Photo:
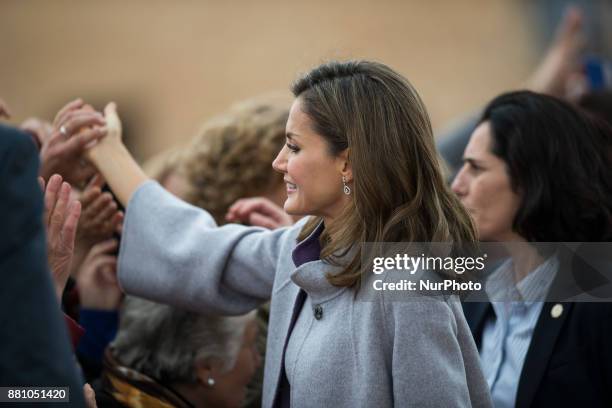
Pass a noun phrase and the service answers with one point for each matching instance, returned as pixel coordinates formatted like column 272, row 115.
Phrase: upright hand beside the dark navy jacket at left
column 61, row 219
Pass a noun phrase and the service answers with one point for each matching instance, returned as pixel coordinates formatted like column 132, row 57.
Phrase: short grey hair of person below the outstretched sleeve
column 165, row 343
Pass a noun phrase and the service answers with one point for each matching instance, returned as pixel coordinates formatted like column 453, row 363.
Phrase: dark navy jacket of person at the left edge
column 34, row 345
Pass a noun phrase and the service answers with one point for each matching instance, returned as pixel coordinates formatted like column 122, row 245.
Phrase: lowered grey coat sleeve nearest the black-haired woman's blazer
column 429, row 366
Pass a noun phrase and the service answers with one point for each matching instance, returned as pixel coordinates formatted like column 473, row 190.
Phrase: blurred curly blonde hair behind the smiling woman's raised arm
column 231, row 157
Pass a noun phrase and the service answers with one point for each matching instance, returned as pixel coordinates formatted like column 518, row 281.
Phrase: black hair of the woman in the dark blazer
column 557, row 160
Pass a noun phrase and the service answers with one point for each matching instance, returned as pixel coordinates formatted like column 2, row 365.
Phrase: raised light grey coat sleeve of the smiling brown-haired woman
column 173, row 252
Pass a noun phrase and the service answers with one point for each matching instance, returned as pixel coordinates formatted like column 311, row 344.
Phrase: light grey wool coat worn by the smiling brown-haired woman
column 341, row 352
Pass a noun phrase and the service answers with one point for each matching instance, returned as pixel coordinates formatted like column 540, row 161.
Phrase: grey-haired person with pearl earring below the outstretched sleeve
column 169, row 357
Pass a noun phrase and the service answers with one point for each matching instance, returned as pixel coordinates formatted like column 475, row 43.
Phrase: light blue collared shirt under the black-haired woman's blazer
column 506, row 337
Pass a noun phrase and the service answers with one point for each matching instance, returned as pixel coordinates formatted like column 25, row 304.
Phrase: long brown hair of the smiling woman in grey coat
column 399, row 194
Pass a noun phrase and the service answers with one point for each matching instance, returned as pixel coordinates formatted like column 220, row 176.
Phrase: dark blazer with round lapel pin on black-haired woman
column 569, row 360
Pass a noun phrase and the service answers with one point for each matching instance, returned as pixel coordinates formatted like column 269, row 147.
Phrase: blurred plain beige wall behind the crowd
column 172, row 64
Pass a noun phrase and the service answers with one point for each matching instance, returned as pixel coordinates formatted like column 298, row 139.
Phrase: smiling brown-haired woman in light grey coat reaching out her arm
column 360, row 159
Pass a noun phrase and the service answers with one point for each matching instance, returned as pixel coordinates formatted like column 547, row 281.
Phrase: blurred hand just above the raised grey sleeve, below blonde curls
column 258, row 211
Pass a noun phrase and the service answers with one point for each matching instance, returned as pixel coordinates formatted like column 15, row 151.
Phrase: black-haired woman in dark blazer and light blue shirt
column 537, row 170
